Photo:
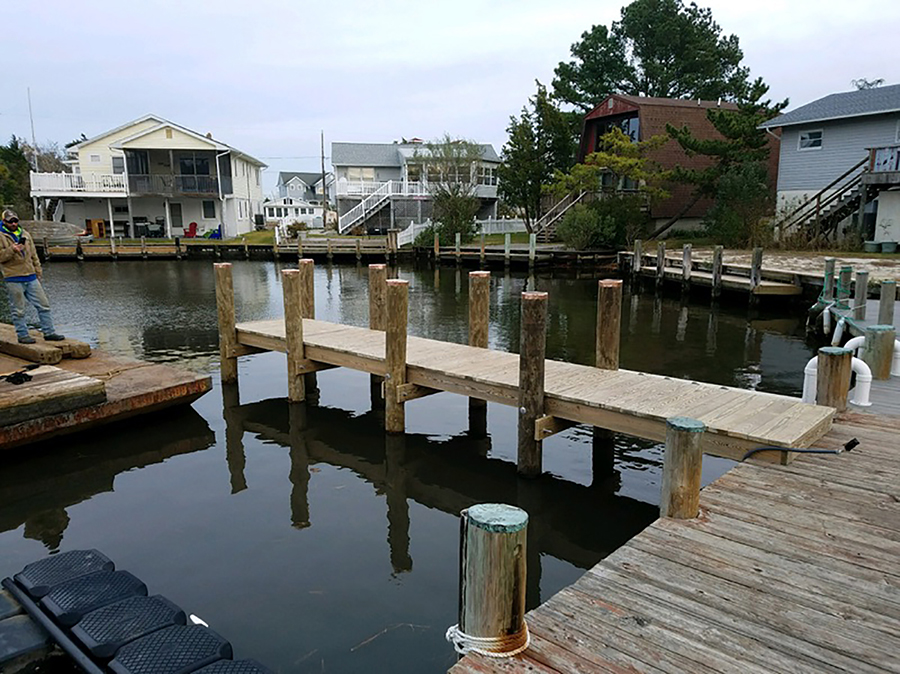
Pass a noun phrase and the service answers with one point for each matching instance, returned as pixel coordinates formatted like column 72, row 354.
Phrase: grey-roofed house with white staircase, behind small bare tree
column 382, row 185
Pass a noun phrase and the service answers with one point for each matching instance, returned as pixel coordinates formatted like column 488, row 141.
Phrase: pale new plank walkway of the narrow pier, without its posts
column 620, row 400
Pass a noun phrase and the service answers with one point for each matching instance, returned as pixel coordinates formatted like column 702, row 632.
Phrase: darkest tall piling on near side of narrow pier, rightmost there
column 532, row 347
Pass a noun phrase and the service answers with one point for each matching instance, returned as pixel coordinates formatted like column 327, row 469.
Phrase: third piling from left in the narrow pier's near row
column 397, row 302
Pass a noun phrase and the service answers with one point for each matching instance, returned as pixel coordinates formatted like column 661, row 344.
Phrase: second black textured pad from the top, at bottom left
column 69, row 602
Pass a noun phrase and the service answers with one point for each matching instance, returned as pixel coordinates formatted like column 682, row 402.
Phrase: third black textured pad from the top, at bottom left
column 104, row 631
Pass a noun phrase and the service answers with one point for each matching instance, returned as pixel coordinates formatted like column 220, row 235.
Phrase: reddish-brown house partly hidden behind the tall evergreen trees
column 641, row 118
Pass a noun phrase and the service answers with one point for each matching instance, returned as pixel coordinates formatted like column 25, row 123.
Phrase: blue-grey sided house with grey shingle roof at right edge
column 840, row 153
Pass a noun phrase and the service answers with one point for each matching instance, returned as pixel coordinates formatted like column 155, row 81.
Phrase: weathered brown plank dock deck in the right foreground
column 788, row 569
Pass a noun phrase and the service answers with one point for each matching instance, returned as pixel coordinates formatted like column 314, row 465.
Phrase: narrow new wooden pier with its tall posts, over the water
column 556, row 396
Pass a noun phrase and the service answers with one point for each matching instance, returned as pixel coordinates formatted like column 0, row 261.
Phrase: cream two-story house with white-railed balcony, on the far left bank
column 152, row 177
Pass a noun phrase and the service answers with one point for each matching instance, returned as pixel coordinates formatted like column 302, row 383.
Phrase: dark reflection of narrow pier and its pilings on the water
column 449, row 475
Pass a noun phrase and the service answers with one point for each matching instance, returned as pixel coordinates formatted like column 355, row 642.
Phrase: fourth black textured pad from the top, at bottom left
column 173, row 650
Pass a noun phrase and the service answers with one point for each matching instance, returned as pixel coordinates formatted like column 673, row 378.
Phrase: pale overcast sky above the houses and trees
column 267, row 76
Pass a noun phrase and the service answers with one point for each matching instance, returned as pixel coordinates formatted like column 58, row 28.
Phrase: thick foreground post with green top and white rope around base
column 492, row 575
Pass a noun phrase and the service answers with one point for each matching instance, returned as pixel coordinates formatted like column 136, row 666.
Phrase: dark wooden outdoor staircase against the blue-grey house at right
column 821, row 214
